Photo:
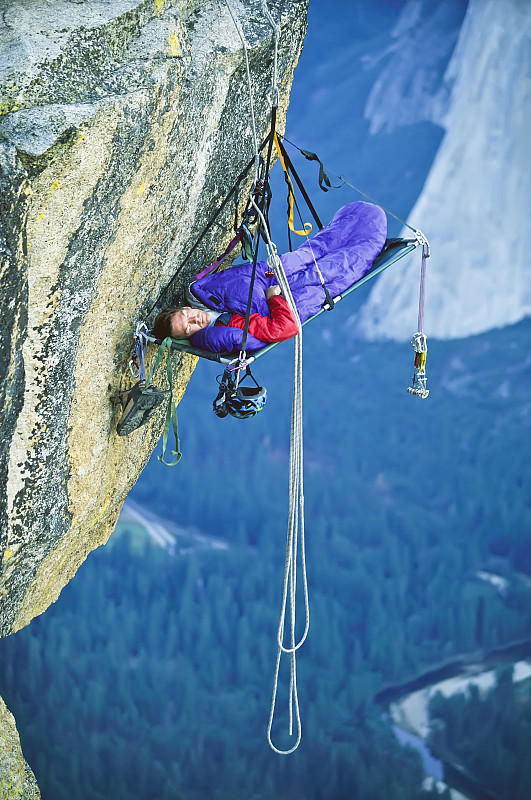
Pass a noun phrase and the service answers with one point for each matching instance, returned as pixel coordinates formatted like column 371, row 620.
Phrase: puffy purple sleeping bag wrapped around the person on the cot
column 344, row 251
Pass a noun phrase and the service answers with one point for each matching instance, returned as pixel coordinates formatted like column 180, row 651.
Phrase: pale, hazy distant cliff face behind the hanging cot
column 474, row 206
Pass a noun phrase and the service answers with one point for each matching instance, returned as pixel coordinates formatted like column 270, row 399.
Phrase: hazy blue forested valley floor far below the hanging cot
column 151, row 676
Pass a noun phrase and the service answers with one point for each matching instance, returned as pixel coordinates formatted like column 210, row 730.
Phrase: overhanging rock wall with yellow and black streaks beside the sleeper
column 122, row 125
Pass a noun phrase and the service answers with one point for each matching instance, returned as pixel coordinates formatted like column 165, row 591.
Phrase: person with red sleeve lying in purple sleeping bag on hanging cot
column 341, row 253
